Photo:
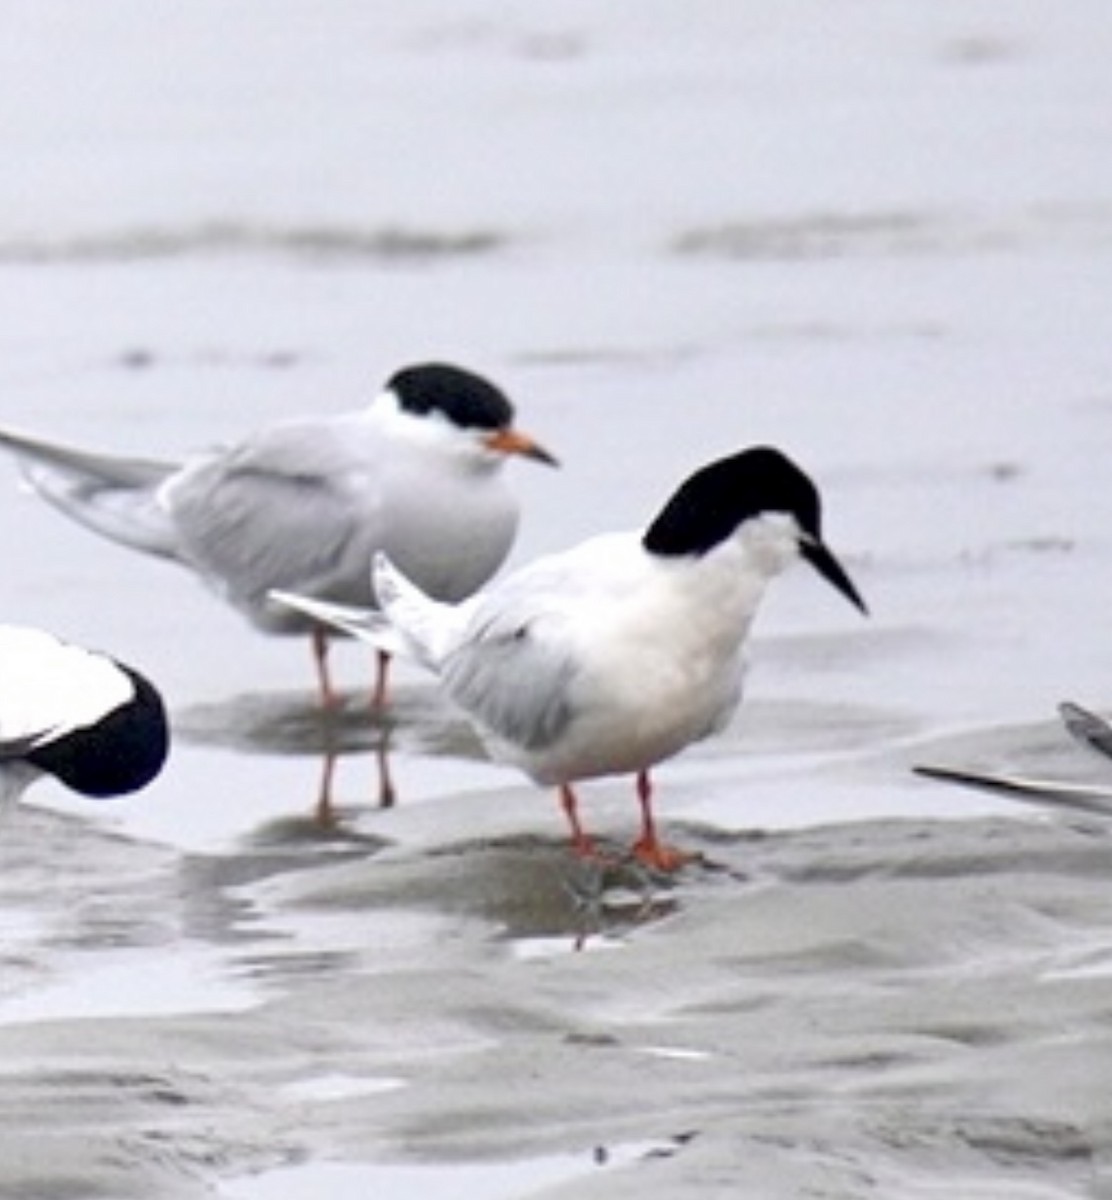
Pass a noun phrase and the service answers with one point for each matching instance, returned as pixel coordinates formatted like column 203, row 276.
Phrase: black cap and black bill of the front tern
column 710, row 507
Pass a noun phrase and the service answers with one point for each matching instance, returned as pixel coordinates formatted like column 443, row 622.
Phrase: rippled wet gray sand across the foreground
column 897, row 1009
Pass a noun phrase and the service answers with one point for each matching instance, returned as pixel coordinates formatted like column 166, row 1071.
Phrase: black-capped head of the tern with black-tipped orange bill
column 462, row 411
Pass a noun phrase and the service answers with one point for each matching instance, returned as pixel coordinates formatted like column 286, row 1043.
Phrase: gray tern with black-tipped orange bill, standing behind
column 304, row 505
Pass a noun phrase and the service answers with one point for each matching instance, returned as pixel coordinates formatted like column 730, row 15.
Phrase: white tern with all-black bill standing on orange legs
column 620, row 653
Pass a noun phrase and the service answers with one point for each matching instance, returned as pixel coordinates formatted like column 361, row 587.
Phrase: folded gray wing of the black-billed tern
column 514, row 676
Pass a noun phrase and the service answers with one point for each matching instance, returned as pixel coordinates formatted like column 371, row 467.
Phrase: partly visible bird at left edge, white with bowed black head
column 93, row 723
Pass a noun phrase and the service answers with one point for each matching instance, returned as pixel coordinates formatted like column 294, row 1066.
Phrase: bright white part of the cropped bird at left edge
column 50, row 686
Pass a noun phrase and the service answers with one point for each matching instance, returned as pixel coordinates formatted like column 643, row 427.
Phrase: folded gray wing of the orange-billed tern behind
column 293, row 509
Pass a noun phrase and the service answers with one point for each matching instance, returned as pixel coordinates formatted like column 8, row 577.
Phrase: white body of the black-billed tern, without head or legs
column 588, row 663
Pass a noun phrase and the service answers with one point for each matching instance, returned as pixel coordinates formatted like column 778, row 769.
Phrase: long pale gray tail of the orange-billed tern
column 115, row 497
